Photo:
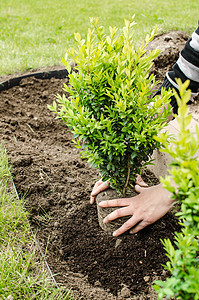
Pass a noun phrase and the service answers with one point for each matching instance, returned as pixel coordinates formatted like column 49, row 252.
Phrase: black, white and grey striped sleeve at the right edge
column 186, row 67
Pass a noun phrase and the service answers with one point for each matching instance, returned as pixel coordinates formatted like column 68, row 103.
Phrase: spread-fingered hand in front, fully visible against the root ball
column 147, row 207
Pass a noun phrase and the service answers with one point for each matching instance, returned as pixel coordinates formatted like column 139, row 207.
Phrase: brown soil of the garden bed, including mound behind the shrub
column 57, row 183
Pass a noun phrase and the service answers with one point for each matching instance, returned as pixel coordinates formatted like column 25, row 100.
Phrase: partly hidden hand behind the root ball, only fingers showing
column 101, row 186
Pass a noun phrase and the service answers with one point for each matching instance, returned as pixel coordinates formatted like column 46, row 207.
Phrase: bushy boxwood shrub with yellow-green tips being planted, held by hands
column 109, row 107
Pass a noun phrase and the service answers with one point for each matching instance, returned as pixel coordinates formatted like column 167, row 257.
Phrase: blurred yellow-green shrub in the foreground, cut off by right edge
column 183, row 257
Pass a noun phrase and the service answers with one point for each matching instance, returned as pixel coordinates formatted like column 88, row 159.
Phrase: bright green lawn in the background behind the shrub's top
column 35, row 33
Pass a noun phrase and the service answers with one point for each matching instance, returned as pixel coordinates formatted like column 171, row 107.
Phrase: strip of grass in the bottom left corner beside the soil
column 22, row 274
